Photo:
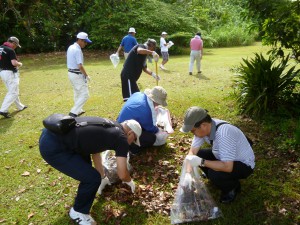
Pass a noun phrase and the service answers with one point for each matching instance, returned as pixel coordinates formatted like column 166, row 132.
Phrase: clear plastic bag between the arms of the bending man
column 109, row 162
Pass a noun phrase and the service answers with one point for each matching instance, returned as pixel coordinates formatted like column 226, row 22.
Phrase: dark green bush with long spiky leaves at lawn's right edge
column 263, row 85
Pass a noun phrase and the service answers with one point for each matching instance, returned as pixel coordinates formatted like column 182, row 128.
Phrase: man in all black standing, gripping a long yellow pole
column 134, row 65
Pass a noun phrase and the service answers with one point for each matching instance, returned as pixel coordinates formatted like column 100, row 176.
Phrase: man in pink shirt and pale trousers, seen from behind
column 196, row 45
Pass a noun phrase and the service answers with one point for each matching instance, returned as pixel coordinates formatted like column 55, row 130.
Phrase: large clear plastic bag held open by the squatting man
column 192, row 201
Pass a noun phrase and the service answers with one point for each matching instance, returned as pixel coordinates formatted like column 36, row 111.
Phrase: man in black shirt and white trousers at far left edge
column 9, row 73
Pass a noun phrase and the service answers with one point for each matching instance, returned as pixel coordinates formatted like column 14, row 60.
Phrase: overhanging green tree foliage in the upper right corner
column 278, row 21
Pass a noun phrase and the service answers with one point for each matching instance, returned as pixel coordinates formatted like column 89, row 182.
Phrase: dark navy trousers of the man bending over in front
column 74, row 165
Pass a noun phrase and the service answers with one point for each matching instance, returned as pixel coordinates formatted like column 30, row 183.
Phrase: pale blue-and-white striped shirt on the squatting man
column 229, row 144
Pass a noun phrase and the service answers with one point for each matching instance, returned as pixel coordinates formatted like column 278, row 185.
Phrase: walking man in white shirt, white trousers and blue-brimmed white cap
column 77, row 73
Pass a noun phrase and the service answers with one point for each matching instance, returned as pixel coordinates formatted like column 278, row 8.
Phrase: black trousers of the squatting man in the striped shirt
column 224, row 180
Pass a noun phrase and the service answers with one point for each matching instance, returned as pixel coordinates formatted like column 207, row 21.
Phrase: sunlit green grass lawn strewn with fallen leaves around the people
column 31, row 192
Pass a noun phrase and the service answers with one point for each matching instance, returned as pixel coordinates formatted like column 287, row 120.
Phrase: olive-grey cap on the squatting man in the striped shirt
column 192, row 116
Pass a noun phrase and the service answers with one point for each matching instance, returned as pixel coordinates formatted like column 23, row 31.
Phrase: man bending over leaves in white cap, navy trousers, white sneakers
column 71, row 154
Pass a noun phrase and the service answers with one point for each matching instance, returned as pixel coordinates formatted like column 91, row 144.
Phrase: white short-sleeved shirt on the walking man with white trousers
column 74, row 56
